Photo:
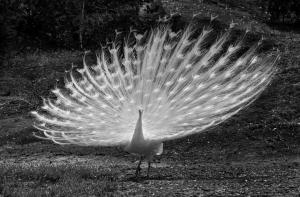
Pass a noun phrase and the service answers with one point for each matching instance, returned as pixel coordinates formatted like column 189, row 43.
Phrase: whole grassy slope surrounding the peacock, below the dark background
column 254, row 153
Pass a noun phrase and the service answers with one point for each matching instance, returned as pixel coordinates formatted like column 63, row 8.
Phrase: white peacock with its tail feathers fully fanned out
column 157, row 86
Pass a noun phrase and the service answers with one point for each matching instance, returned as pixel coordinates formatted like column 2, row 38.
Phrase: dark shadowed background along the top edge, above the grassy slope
column 46, row 24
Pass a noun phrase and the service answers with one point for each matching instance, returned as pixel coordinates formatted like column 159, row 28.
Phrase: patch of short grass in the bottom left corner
column 62, row 180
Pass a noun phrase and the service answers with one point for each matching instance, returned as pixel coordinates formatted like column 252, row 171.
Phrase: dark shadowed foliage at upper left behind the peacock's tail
column 59, row 24
